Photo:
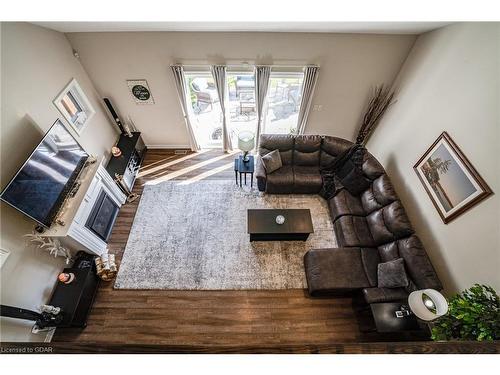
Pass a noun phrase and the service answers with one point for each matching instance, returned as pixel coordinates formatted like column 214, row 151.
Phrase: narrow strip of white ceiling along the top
column 315, row 27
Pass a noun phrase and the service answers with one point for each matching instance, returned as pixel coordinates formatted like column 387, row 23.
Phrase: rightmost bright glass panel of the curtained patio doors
column 283, row 102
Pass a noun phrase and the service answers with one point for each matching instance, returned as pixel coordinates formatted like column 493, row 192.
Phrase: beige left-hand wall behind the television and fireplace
column 36, row 64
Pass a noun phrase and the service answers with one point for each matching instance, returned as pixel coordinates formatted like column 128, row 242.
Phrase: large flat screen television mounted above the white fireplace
column 41, row 185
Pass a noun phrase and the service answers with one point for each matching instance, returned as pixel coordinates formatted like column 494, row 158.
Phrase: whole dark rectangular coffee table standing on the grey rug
column 262, row 225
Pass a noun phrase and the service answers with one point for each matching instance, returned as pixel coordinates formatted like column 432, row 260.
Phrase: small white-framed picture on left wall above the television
column 74, row 106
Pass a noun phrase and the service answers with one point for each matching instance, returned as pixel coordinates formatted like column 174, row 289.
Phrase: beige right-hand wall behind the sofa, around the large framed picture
column 450, row 82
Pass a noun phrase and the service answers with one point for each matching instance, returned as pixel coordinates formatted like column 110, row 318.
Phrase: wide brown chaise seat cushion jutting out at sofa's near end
column 333, row 270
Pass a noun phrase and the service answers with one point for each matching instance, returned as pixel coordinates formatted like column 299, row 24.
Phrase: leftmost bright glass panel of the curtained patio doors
column 205, row 112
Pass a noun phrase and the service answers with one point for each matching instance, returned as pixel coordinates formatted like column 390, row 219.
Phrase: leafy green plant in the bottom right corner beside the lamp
column 473, row 314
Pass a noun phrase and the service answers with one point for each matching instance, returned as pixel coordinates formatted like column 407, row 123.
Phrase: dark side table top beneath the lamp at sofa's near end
column 385, row 318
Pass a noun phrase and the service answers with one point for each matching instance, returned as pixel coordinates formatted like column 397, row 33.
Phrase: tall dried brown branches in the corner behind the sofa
column 381, row 99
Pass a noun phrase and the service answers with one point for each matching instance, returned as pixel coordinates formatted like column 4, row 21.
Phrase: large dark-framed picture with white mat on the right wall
column 451, row 181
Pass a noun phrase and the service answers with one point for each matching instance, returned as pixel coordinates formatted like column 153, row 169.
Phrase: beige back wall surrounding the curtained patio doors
column 350, row 66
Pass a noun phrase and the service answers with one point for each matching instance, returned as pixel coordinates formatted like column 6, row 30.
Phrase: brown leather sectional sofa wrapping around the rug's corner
column 371, row 228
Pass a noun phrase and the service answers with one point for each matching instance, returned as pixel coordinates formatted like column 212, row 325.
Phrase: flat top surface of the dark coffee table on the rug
column 263, row 221
